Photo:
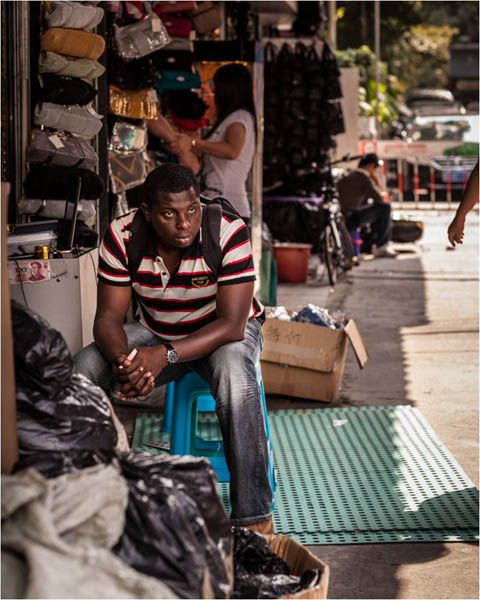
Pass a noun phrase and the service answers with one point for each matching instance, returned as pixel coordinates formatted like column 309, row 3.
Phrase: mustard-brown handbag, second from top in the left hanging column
column 71, row 42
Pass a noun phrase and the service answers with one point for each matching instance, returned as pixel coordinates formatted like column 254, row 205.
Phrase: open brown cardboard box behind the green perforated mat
column 307, row 361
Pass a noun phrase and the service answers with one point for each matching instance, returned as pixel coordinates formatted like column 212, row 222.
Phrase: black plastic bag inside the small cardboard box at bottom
column 259, row 573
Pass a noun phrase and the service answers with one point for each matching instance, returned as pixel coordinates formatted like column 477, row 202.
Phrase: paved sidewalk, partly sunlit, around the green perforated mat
column 419, row 317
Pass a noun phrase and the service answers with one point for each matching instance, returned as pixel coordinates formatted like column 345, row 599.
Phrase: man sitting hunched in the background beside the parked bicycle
column 355, row 190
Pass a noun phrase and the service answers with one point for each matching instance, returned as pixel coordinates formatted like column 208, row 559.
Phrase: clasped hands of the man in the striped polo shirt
column 136, row 373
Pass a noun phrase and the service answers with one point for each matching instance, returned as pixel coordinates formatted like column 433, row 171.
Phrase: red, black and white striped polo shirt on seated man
column 174, row 305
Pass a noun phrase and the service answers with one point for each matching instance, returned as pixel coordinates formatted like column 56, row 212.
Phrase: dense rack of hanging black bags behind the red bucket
column 302, row 109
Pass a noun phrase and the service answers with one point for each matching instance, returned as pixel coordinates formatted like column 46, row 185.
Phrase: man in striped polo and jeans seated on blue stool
column 188, row 319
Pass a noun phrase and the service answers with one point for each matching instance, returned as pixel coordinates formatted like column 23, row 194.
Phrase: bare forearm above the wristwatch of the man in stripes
column 209, row 338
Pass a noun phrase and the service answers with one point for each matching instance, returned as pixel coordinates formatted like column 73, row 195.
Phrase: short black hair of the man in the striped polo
column 170, row 178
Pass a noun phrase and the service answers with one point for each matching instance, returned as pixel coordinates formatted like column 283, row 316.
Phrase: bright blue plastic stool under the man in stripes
column 184, row 399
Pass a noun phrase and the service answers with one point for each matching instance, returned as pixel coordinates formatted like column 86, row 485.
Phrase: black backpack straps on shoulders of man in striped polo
column 141, row 231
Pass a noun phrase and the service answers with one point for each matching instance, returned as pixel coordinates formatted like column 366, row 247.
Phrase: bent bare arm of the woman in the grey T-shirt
column 229, row 148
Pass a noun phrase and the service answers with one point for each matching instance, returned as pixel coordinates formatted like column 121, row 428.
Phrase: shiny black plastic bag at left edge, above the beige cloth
column 63, row 420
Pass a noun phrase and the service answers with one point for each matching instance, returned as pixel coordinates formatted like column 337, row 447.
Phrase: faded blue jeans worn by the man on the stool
column 231, row 372
